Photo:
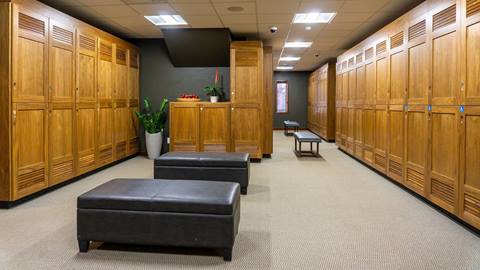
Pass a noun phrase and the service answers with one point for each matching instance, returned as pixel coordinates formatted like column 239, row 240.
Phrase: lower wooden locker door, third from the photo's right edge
column 416, row 140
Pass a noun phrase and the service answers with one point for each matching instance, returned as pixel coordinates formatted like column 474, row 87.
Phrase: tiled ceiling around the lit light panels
column 354, row 20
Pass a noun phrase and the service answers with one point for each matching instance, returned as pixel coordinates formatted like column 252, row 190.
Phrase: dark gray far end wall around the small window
column 297, row 98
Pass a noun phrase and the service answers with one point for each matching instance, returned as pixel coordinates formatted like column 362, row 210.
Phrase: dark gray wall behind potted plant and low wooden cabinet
column 159, row 78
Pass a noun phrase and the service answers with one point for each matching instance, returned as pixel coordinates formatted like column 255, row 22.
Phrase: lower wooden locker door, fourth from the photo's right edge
column 395, row 142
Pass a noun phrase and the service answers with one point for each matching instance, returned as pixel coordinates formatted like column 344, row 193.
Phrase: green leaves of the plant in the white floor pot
column 153, row 121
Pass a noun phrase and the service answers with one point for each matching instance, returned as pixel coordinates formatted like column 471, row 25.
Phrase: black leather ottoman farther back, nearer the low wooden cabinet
column 207, row 166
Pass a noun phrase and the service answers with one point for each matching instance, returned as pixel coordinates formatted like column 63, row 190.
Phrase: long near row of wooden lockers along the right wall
column 416, row 97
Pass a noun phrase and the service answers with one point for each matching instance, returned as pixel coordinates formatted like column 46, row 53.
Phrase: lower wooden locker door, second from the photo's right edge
column 443, row 155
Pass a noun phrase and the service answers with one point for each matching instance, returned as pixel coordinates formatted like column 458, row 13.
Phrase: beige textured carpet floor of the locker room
column 329, row 213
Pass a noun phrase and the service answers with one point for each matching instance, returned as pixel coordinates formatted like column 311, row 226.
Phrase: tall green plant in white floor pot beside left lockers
column 153, row 123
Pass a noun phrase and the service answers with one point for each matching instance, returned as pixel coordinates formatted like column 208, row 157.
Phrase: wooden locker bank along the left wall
column 68, row 92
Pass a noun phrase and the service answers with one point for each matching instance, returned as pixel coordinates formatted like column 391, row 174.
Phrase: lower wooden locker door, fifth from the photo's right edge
column 381, row 136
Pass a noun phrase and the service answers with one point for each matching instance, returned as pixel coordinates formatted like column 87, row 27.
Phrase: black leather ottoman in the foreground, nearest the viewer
column 182, row 213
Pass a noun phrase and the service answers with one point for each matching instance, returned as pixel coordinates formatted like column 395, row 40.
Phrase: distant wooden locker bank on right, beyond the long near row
column 321, row 102
